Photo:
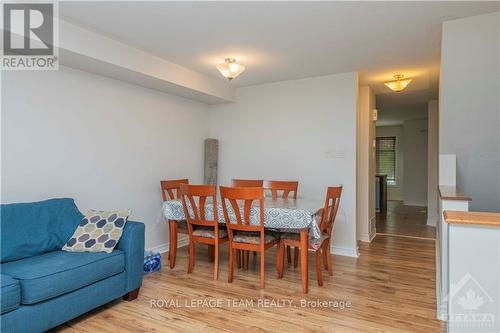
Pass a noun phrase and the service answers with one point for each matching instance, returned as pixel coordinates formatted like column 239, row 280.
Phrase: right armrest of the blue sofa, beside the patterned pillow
column 132, row 243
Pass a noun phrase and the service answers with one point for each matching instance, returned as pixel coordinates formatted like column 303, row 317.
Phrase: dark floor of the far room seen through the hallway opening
column 405, row 221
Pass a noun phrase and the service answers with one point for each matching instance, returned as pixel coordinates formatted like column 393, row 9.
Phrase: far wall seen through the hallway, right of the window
column 415, row 164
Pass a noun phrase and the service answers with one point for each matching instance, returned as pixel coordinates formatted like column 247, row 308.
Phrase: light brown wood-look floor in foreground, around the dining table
column 391, row 288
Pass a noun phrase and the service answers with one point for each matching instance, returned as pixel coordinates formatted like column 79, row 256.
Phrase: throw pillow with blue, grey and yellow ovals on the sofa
column 99, row 231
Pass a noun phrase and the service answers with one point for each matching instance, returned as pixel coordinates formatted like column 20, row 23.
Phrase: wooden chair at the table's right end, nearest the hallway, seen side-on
column 326, row 225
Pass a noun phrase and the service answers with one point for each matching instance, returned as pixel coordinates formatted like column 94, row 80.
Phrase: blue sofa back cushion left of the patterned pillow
column 30, row 229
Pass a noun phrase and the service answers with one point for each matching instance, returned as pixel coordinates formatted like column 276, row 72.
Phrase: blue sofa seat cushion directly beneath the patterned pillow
column 59, row 272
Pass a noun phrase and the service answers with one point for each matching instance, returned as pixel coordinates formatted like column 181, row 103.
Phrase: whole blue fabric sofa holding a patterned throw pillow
column 42, row 286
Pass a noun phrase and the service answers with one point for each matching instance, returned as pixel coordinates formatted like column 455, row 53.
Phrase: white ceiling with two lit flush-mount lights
column 287, row 40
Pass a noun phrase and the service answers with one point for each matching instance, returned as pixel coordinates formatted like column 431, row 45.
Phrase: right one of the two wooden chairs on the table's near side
column 243, row 235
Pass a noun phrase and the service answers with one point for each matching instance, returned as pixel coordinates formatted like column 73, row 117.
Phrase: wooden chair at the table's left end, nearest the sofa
column 170, row 190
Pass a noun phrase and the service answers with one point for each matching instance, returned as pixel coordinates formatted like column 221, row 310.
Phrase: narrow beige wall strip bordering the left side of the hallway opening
column 366, row 165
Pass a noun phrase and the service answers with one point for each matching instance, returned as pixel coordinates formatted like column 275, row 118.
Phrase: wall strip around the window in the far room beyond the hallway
column 395, row 192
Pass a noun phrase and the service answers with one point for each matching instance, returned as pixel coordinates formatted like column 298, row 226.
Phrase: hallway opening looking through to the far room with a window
column 402, row 172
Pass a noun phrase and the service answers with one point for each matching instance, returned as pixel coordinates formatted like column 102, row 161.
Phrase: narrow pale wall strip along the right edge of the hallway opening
column 432, row 162
